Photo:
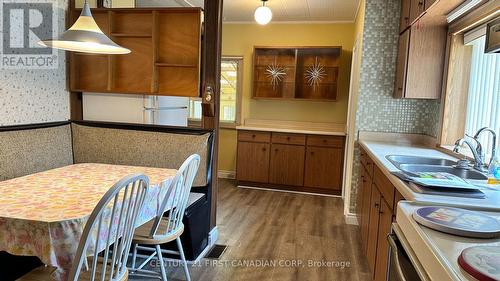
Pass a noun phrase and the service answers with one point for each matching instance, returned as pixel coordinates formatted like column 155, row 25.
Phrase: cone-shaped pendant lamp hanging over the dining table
column 85, row 37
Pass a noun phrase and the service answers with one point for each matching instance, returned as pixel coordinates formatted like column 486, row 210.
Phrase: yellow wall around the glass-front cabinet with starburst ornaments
column 240, row 39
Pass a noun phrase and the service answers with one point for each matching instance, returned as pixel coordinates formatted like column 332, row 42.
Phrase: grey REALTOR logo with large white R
column 24, row 24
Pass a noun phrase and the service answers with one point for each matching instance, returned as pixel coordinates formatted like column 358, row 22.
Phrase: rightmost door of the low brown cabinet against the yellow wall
column 323, row 167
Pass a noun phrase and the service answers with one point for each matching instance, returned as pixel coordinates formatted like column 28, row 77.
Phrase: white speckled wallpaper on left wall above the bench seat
column 33, row 95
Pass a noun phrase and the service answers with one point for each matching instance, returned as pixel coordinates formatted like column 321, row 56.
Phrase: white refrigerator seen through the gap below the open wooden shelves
column 142, row 109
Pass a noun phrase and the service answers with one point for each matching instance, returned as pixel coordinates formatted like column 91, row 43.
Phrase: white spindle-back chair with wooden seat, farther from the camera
column 168, row 227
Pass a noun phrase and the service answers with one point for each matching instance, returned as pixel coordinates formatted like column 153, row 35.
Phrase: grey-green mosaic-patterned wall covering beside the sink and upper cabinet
column 377, row 110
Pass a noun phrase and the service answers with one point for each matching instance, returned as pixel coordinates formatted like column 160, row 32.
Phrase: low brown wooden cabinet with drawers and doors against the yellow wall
column 299, row 162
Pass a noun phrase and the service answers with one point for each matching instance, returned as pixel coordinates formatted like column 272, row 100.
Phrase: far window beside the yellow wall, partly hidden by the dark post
column 230, row 96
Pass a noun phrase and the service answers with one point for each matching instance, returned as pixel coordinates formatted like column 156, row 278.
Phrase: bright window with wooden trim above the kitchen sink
column 472, row 94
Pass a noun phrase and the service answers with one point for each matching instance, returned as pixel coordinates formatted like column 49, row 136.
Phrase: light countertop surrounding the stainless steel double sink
column 379, row 150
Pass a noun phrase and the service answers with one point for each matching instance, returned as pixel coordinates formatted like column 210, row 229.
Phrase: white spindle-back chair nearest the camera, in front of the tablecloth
column 114, row 218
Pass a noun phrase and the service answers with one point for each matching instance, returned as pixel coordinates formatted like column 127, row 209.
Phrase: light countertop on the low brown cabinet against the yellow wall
column 294, row 127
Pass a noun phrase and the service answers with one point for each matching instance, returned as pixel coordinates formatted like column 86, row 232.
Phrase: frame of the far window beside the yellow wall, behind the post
column 239, row 94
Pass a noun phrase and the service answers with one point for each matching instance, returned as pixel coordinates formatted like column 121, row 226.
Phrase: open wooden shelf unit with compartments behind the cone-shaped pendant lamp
column 165, row 46
